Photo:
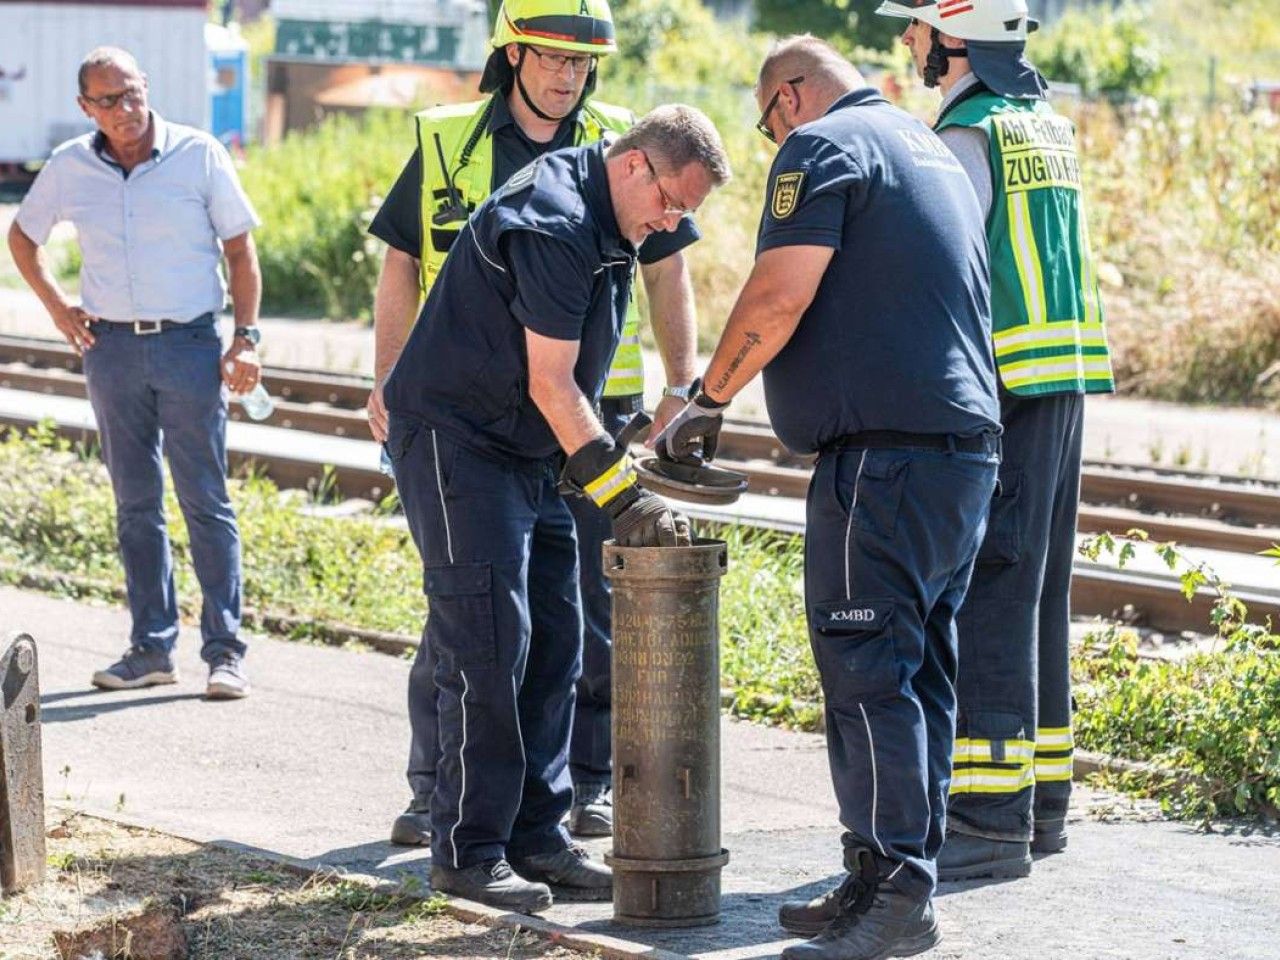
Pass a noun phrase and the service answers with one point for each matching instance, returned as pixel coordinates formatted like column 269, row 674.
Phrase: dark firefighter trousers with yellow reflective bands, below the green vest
column 1013, row 758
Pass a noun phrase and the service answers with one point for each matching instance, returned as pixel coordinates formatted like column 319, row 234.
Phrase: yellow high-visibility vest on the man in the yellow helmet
column 456, row 125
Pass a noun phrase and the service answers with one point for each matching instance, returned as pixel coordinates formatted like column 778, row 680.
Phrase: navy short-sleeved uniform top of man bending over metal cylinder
column 543, row 253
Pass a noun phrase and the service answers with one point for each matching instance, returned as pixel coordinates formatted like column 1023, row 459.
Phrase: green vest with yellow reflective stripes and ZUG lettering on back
column 1045, row 308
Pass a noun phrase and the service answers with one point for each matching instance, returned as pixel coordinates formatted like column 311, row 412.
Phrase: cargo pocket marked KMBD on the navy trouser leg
column 854, row 647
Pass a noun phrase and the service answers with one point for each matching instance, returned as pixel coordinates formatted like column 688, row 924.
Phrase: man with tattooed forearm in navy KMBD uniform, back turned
column 867, row 310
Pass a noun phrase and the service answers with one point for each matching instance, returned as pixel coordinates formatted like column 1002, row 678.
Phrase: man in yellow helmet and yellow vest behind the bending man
column 541, row 80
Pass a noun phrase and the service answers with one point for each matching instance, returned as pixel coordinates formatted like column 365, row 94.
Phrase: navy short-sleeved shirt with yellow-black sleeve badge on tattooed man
column 899, row 333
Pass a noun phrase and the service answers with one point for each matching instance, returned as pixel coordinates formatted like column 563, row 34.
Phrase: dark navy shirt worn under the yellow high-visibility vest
column 399, row 221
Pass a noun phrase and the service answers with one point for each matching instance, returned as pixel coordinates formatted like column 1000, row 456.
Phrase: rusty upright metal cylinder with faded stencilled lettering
column 668, row 853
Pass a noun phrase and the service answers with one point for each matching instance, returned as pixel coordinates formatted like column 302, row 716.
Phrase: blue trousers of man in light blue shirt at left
column 163, row 392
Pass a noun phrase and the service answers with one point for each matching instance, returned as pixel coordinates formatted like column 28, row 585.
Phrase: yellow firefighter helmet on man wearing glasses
column 575, row 26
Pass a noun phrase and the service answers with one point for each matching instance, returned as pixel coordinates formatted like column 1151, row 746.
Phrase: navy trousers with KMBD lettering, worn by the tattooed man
column 889, row 550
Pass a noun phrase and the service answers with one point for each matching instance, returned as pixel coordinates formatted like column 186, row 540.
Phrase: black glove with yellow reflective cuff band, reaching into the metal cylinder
column 602, row 473
